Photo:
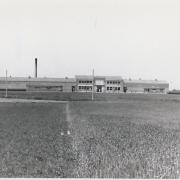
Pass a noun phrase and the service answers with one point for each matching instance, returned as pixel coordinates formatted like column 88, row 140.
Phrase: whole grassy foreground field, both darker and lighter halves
column 133, row 137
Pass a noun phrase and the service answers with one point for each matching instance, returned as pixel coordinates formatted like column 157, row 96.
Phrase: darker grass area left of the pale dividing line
column 31, row 144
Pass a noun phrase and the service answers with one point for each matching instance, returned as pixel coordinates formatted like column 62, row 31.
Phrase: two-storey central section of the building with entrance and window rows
column 100, row 84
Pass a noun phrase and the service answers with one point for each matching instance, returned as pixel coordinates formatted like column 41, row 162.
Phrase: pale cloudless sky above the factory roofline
column 129, row 38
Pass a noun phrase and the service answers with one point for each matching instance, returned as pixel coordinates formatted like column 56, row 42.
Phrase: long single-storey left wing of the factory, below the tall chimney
column 38, row 84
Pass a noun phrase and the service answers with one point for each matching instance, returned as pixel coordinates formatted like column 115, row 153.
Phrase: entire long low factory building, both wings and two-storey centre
column 82, row 83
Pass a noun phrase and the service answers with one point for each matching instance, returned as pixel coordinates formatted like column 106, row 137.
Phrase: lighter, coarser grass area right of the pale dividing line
column 127, row 139
